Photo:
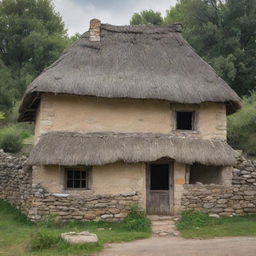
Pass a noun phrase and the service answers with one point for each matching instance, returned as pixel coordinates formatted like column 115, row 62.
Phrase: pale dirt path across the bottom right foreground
column 162, row 246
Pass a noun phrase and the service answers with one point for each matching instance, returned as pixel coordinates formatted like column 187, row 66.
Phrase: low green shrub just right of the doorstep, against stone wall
column 193, row 219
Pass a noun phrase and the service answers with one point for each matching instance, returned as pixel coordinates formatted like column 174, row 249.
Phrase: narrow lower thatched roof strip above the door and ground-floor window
column 71, row 148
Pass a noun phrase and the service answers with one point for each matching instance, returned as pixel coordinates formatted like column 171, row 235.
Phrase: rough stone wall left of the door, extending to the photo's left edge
column 16, row 188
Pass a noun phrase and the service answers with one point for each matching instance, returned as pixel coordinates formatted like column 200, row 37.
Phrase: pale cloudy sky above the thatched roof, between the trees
column 77, row 13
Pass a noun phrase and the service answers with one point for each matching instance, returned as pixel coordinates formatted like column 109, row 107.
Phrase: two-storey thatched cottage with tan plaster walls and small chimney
column 129, row 110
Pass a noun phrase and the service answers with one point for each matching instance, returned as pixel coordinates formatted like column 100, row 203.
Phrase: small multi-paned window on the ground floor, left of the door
column 76, row 178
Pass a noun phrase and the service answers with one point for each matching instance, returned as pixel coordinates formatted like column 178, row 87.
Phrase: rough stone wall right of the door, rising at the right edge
column 236, row 199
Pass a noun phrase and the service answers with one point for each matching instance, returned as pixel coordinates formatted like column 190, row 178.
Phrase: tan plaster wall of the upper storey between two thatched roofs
column 91, row 114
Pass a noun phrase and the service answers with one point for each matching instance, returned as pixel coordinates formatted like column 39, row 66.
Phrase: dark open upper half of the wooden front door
column 159, row 177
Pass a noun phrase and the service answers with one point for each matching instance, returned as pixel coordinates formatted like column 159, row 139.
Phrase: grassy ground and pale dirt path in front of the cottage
column 20, row 237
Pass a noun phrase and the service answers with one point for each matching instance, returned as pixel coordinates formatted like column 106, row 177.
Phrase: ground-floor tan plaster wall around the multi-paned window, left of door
column 113, row 179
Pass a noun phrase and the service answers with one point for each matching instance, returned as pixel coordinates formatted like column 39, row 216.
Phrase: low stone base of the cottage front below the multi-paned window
column 69, row 207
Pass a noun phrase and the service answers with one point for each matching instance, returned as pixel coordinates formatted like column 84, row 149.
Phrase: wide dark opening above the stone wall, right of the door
column 205, row 174
